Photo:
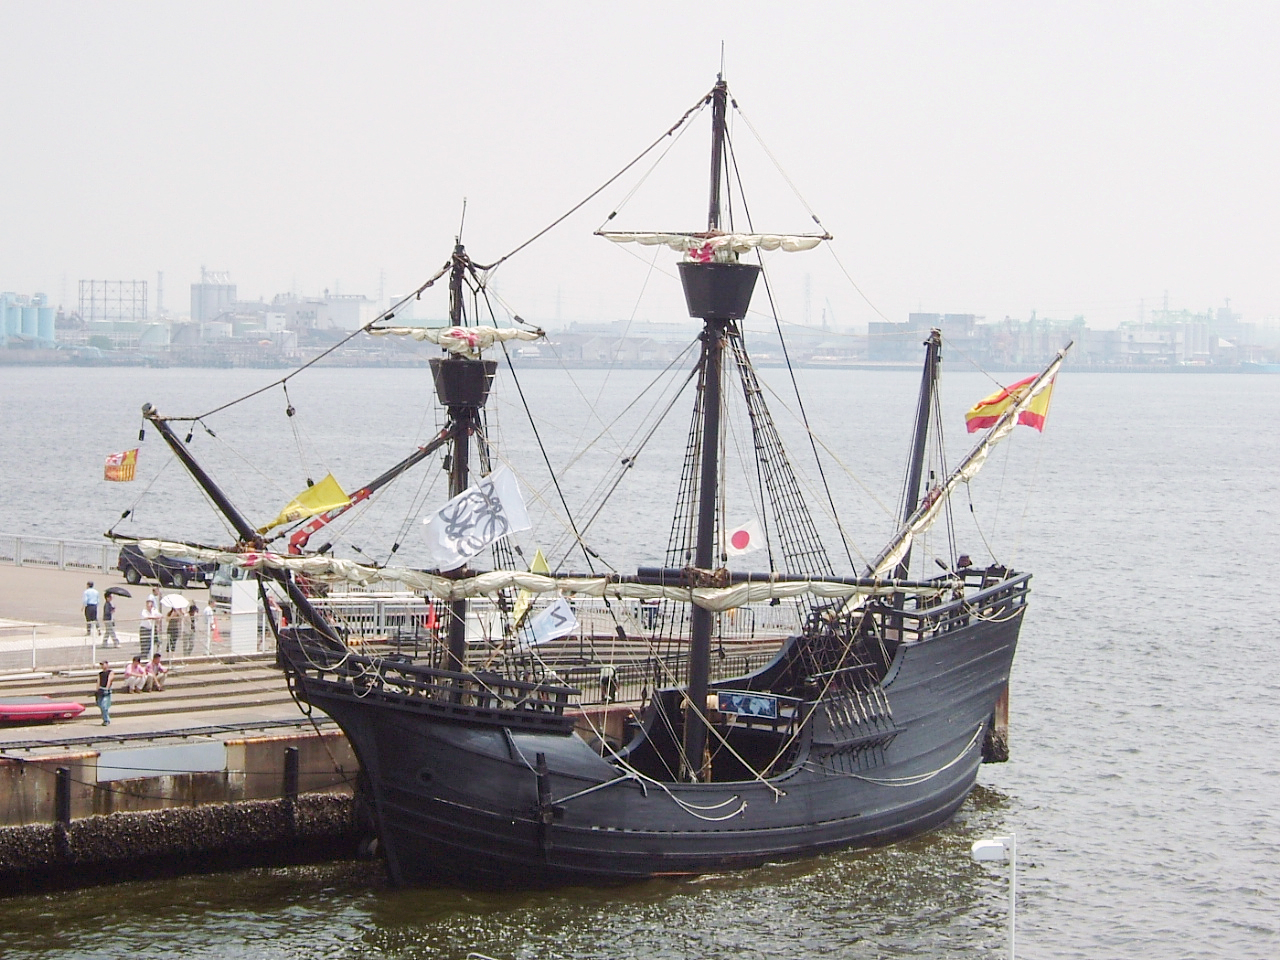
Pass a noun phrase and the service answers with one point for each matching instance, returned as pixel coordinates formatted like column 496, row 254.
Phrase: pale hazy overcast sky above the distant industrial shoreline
column 972, row 158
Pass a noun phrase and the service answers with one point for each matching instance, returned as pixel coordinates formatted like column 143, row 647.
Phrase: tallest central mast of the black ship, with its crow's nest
column 719, row 294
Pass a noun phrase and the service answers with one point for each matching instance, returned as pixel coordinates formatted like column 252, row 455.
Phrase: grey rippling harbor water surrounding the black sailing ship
column 1144, row 780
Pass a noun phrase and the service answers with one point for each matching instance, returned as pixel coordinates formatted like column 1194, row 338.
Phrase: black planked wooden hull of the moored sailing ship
column 461, row 804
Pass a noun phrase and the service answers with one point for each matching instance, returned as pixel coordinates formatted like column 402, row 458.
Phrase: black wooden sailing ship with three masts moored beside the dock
column 865, row 725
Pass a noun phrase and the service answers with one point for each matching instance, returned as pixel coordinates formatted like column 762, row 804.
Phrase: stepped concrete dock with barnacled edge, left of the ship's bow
column 220, row 769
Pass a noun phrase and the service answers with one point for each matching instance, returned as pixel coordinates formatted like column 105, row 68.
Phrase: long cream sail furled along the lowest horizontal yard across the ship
column 491, row 584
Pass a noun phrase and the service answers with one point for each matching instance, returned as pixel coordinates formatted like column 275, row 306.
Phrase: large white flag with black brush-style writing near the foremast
column 476, row 519
